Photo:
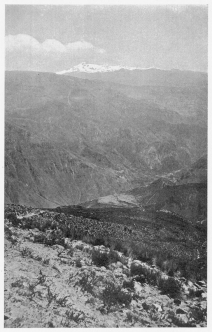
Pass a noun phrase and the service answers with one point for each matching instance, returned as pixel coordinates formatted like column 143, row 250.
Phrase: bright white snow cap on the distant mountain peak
column 93, row 68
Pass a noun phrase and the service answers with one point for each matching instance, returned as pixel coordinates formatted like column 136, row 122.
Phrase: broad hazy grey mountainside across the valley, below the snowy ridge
column 70, row 140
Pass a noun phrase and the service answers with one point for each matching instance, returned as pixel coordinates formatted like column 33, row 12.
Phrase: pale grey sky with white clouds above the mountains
column 55, row 38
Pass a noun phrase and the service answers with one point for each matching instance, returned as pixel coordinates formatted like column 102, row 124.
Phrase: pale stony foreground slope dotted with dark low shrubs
column 53, row 279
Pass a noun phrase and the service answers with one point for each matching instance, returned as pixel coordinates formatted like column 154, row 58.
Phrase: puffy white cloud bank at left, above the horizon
column 24, row 52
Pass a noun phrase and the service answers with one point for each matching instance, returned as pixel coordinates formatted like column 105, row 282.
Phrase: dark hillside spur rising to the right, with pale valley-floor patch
column 182, row 193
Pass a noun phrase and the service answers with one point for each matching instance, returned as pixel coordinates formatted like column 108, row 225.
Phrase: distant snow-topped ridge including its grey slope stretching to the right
column 137, row 76
